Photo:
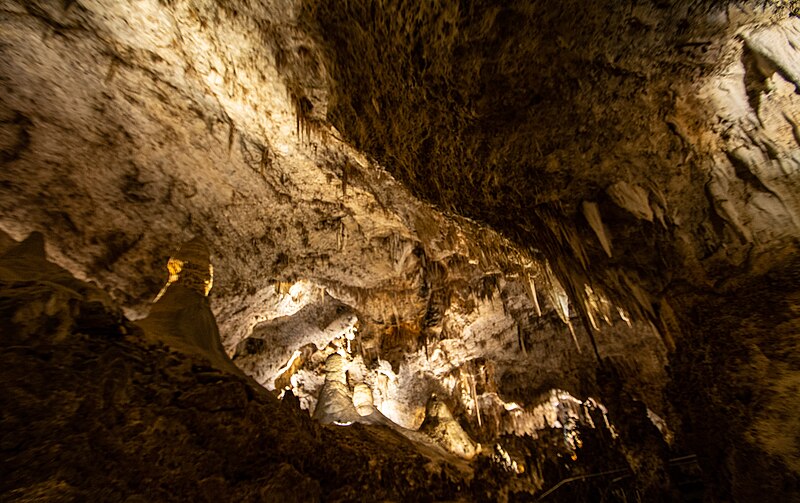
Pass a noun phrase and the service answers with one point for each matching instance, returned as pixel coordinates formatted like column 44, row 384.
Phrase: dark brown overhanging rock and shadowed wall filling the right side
column 648, row 149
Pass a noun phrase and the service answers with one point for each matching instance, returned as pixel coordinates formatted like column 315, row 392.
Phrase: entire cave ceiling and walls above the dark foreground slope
column 541, row 196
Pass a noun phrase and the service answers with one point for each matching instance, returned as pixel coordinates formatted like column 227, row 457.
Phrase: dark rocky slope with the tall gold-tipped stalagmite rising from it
column 99, row 408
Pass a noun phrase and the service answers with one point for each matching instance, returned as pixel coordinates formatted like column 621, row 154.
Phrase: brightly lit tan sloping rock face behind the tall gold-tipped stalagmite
column 131, row 127
